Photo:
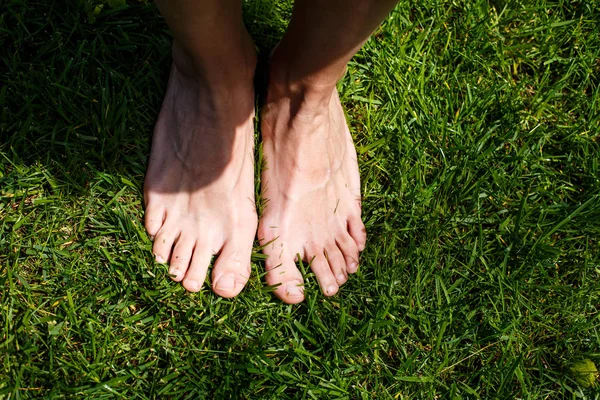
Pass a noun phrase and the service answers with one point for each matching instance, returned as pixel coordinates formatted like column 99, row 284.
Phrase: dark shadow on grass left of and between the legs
column 81, row 98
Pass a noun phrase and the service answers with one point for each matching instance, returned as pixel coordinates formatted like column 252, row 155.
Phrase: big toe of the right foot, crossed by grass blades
column 282, row 271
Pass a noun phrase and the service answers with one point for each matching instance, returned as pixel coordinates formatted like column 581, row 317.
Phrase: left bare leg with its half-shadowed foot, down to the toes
column 199, row 188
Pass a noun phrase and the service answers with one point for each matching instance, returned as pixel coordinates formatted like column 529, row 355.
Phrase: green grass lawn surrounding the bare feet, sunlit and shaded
column 478, row 131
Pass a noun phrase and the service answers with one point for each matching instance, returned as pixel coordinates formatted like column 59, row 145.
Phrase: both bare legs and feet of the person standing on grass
column 199, row 187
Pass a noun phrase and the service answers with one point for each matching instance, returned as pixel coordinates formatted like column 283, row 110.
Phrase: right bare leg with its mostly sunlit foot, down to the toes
column 311, row 179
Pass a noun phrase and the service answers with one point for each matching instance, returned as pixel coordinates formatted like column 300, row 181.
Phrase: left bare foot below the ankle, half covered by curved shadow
column 199, row 187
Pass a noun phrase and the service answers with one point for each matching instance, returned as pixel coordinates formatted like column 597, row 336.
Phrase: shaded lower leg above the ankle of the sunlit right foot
column 322, row 37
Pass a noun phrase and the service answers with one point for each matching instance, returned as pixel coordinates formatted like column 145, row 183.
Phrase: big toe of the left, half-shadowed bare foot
column 232, row 269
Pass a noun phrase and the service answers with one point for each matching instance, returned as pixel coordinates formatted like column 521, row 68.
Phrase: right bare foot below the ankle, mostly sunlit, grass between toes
column 312, row 190
